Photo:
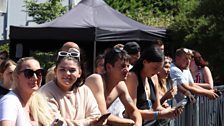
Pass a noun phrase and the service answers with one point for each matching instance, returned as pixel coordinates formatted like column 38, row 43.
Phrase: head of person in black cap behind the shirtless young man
column 133, row 49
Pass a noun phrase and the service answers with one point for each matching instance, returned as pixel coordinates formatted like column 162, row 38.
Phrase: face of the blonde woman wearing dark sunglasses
column 29, row 84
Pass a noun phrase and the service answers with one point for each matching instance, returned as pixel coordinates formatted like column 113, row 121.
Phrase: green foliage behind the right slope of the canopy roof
column 153, row 13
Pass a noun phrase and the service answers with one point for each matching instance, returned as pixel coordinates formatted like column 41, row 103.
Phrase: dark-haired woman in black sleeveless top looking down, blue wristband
column 144, row 91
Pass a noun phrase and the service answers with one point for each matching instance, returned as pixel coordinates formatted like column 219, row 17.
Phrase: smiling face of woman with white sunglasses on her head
column 67, row 72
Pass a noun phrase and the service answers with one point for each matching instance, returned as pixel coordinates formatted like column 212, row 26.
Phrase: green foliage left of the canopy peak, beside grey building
column 44, row 12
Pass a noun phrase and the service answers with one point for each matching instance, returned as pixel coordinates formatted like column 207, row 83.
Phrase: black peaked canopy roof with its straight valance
column 90, row 20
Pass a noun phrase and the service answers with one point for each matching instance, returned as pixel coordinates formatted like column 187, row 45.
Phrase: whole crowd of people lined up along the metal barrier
column 138, row 87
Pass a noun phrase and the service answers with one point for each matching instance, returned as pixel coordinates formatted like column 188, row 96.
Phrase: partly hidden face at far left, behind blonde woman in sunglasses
column 7, row 76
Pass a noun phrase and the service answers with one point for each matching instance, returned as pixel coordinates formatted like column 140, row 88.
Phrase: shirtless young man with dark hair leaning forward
column 107, row 87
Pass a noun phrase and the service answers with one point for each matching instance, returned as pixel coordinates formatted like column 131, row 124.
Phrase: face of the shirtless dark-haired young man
column 120, row 69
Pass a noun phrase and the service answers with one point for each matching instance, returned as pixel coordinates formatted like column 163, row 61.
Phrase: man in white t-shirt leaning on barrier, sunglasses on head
column 181, row 76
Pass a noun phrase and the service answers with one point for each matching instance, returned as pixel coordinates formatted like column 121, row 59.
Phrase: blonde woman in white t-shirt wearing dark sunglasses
column 15, row 107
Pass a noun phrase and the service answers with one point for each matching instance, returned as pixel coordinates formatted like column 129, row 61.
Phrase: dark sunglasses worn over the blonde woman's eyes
column 28, row 73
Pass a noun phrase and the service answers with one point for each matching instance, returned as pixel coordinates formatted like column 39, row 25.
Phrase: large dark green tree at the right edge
column 199, row 26
